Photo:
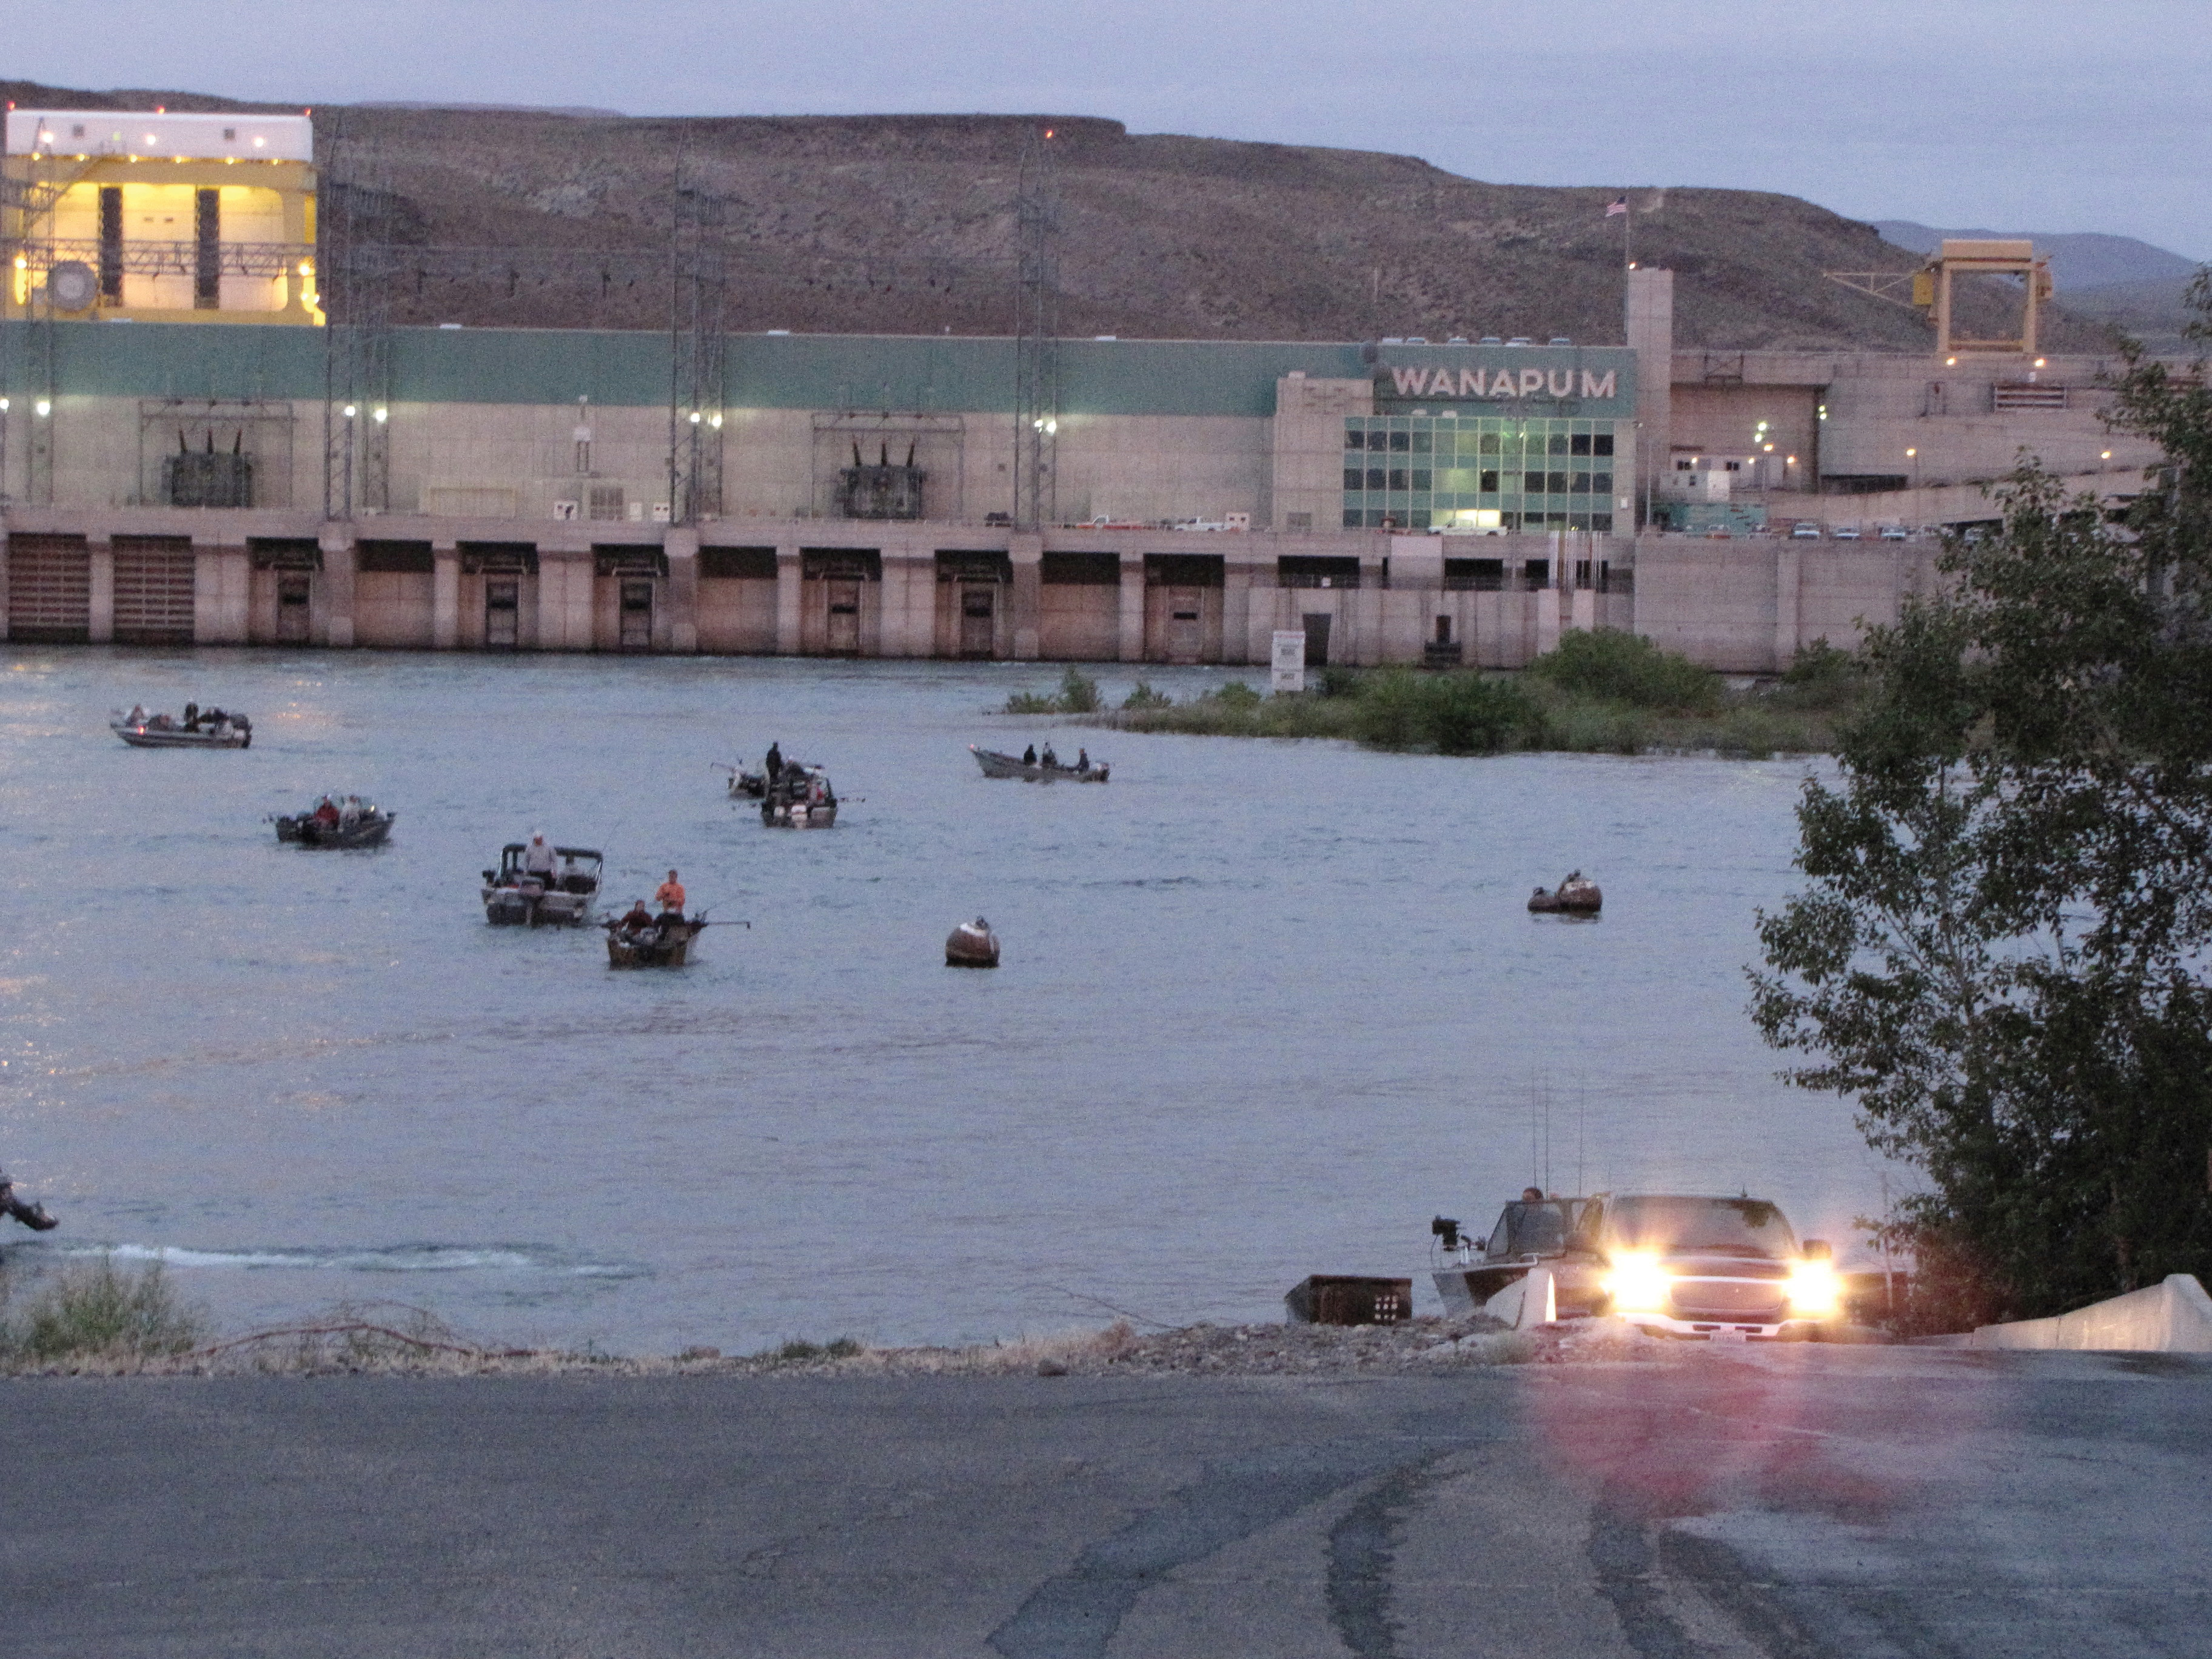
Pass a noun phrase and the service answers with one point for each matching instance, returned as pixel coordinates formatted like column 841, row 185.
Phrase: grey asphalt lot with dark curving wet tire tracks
column 1795, row 1501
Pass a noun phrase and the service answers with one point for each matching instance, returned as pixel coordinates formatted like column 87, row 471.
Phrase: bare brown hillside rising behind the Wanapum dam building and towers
column 906, row 225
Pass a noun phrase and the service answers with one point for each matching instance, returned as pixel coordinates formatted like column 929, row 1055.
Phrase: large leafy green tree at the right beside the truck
column 2005, row 946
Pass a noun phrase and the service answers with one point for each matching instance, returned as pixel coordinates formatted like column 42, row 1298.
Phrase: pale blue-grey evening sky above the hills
column 2007, row 114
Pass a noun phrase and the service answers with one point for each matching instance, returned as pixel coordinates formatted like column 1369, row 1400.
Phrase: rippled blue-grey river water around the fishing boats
column 1264, row 1008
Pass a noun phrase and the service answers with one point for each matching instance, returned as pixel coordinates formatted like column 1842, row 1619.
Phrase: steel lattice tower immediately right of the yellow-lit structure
column 355, row 278
